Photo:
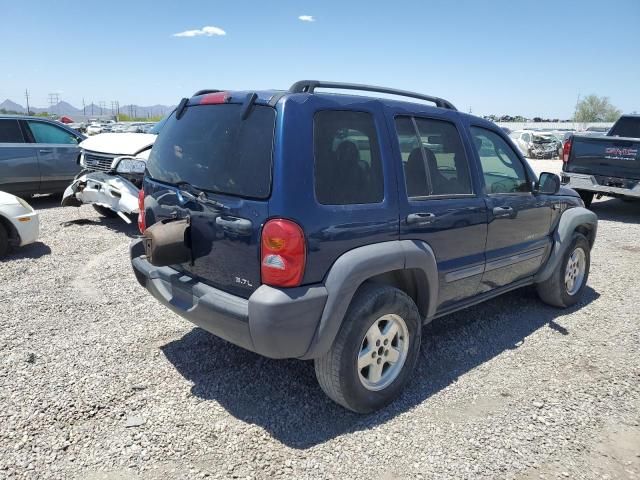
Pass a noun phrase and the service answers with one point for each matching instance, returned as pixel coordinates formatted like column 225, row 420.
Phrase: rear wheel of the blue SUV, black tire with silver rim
column 373, row 309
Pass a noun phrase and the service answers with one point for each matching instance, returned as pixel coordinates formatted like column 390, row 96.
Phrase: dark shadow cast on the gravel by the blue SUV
column 283, row 397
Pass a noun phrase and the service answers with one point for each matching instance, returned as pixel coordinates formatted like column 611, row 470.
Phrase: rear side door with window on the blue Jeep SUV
column 439, row 203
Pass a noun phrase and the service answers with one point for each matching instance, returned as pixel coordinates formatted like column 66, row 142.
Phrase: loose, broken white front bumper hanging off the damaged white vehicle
column 110, row 191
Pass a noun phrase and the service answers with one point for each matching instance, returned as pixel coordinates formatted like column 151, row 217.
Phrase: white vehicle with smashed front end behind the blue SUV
column 113, row 166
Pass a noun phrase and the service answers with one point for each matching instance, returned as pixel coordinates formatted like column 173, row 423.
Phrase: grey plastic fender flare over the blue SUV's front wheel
column 569, row 221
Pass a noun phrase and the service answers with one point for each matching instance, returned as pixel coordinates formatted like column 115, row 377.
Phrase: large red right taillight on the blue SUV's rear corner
column 283, row 253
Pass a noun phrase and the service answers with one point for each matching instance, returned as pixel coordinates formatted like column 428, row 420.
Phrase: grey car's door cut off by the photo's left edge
column 19, row 170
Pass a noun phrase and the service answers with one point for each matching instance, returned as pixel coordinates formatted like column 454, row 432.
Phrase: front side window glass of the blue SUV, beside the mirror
column 502, row 169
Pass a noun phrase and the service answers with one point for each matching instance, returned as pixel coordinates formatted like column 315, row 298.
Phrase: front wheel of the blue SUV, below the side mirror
column 555, row 290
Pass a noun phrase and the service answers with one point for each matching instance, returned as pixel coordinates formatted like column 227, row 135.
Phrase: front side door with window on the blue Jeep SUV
column 519, row 221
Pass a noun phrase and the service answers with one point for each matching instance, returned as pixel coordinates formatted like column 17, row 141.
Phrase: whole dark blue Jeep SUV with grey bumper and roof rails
column 324, row 226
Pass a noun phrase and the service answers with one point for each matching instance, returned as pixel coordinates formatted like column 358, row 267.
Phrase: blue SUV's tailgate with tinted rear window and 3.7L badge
column 213, row 165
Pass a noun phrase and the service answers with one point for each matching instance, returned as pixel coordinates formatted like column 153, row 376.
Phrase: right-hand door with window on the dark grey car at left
column 58, row 153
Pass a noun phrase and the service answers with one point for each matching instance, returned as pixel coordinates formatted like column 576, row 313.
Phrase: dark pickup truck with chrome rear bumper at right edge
column 605, row 166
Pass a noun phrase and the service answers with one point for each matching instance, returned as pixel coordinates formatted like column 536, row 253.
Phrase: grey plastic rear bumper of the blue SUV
column 276, row 323
